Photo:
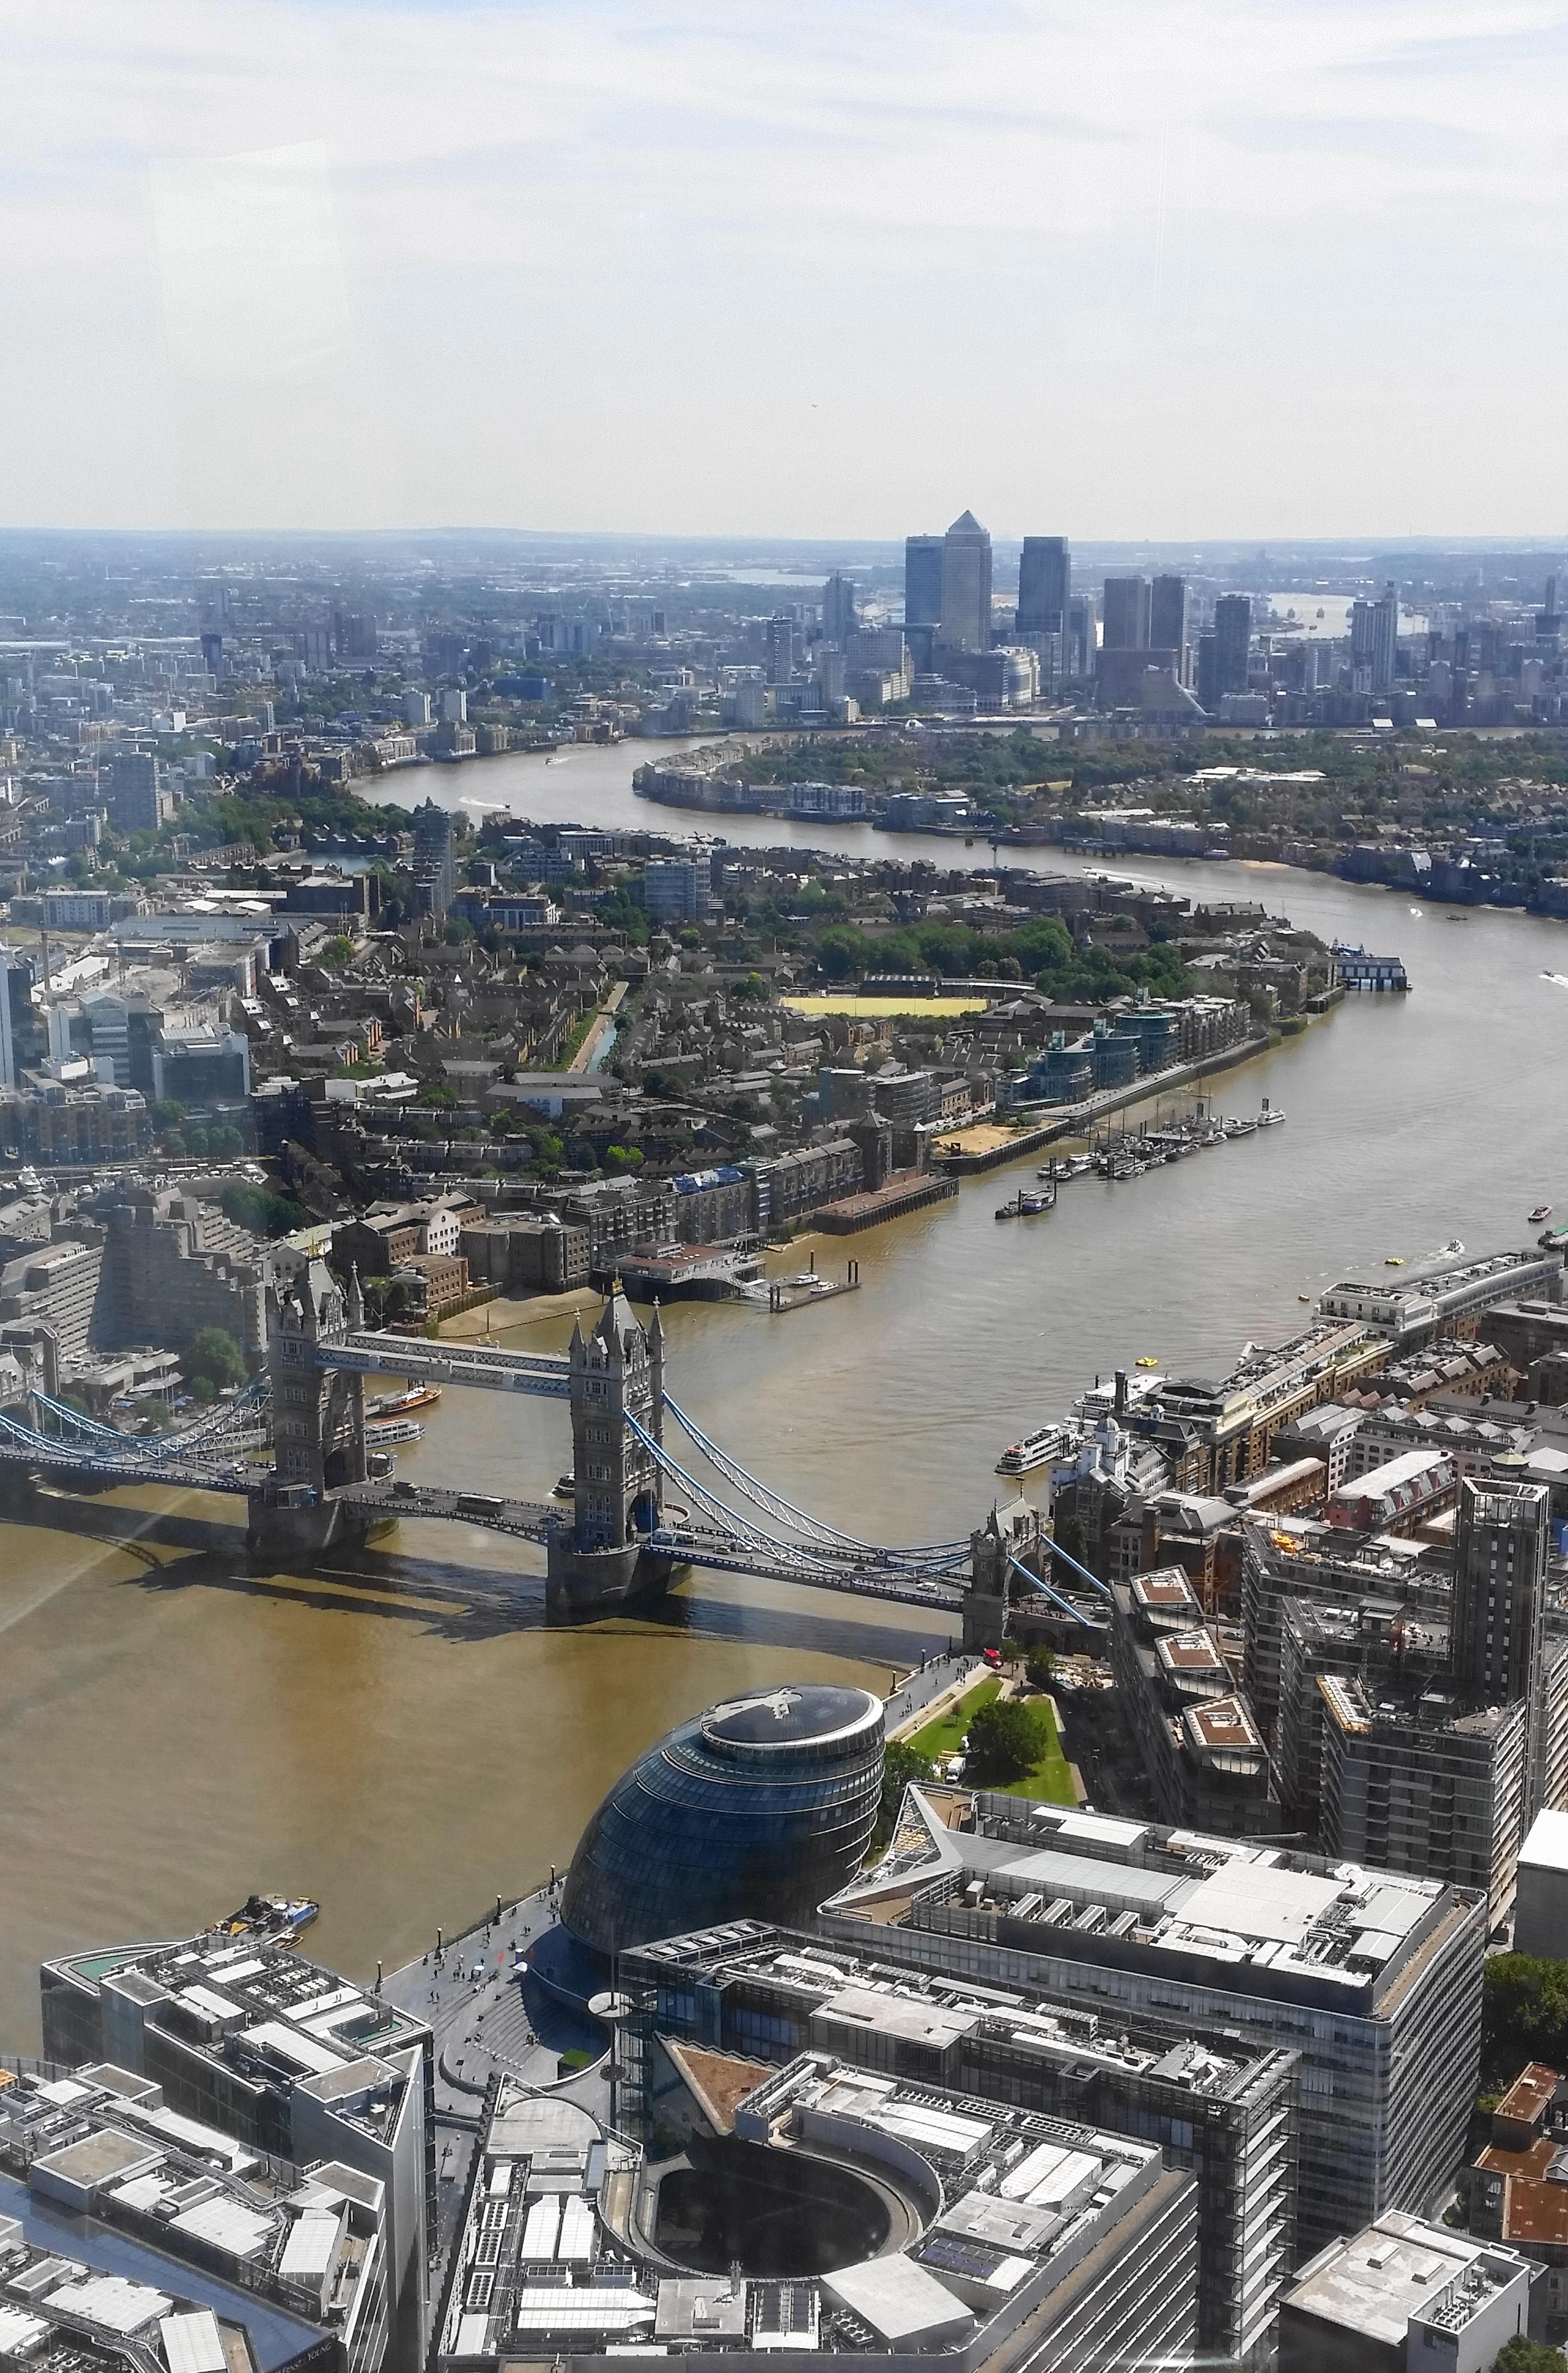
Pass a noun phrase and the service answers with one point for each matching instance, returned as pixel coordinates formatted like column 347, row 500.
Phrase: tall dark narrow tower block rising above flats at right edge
column 1503, row 1544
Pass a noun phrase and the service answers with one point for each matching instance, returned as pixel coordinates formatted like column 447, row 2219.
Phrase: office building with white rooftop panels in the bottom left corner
column 144, row 2239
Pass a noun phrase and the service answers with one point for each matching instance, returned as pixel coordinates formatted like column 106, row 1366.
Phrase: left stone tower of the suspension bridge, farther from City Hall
column 319, row 1418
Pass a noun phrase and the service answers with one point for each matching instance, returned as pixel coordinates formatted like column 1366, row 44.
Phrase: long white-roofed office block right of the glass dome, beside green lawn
column 1375, row 1980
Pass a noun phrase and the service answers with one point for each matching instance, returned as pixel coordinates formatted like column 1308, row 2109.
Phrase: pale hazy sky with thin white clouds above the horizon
column 836, row 267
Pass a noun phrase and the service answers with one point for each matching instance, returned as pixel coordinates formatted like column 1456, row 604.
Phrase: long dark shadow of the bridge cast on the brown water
column 464, row 1603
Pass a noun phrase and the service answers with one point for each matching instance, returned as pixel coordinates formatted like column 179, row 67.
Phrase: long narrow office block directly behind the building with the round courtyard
column 767, row 1995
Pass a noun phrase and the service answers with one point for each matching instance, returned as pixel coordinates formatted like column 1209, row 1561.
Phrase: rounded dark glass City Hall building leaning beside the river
column 756, row 1809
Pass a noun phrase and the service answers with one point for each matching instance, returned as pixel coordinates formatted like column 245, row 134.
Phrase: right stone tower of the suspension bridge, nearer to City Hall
column 618, row 1491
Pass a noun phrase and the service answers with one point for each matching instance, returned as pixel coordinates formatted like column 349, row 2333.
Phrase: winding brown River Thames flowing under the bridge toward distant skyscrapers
column 177, row 1731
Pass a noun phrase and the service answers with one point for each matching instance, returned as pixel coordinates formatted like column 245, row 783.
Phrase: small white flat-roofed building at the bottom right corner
column 1406, row 2298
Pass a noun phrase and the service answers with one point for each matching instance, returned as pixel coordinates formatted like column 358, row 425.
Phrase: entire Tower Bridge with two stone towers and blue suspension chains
column 639, row 1508
